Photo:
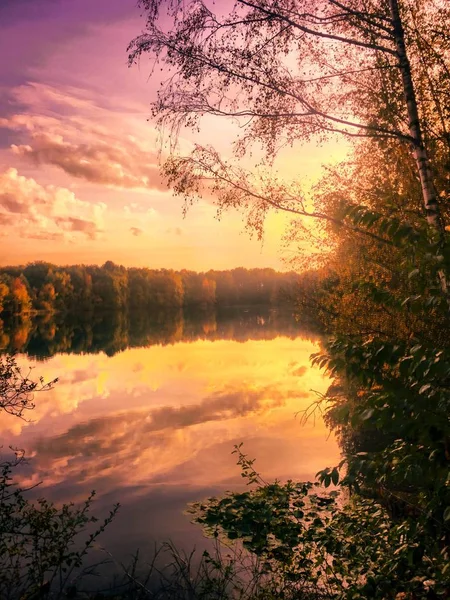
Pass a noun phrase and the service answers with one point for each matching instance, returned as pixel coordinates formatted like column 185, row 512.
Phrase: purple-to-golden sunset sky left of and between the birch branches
column 79, row 175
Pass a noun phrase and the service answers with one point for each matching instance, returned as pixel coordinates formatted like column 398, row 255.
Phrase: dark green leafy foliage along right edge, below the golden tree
column 390, row 403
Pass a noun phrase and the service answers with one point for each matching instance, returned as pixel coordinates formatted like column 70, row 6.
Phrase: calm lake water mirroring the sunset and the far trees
column 147, row 413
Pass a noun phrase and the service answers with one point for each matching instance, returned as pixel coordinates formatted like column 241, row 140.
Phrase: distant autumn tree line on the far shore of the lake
column 44, row 287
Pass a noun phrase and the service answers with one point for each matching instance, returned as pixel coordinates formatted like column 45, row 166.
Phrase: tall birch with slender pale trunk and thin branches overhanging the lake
column 294, row 70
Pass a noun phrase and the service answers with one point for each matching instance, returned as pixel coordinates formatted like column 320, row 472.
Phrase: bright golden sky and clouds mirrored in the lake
column 170, row 415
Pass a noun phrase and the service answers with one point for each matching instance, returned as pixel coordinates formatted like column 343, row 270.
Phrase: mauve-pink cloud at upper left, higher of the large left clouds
column 64, row 129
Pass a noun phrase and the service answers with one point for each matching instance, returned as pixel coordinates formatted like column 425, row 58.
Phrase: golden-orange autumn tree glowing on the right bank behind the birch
column 363, row 283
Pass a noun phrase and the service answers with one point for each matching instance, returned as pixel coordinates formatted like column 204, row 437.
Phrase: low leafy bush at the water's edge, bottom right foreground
column 314, row 544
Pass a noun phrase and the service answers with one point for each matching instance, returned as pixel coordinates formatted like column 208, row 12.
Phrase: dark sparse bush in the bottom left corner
column 40, row 547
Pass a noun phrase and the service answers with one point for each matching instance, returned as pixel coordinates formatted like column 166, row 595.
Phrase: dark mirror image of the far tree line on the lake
column 112, row 332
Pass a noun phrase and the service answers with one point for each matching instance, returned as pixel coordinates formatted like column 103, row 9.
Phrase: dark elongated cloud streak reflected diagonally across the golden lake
column 112, row 442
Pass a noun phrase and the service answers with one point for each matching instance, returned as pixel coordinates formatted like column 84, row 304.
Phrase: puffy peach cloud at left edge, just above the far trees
column 46, row 212
